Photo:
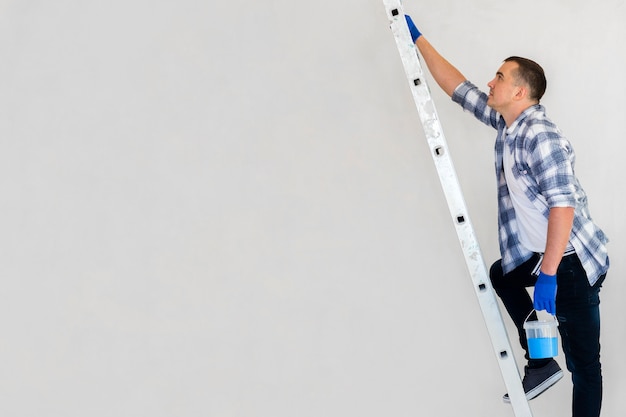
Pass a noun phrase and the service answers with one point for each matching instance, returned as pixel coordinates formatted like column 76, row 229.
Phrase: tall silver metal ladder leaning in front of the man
column 454, row 196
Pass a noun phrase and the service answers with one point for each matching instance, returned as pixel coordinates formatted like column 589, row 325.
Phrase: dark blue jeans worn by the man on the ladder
column 578, row 313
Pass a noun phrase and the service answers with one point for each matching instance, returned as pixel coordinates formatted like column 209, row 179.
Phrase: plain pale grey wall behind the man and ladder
column 228, row 209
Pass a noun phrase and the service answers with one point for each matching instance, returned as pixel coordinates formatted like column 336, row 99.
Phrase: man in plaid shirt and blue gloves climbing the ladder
column 547, row 237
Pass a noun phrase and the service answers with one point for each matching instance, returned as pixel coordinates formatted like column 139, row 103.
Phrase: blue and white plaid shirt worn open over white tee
column 544, row 164
